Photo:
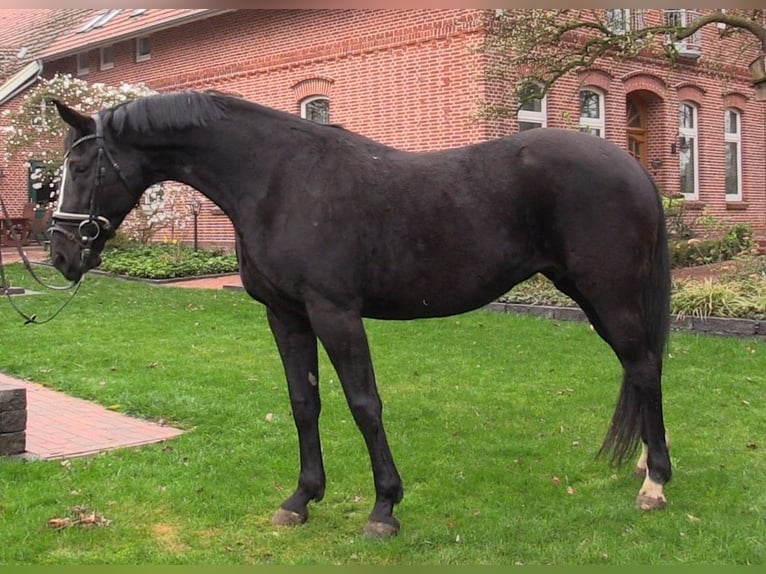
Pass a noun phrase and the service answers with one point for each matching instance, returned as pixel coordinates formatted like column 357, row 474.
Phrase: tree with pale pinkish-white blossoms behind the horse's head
column 35, row 132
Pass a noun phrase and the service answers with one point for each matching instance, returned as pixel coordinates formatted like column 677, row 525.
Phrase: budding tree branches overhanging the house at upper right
column 534, row 48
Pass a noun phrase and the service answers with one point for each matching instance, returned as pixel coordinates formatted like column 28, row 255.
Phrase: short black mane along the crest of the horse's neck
column 175, row 110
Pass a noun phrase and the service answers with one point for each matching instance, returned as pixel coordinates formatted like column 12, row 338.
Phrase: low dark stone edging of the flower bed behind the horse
column 710, row 325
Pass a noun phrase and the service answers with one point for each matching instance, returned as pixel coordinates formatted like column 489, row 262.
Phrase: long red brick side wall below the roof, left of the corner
column 407, row 78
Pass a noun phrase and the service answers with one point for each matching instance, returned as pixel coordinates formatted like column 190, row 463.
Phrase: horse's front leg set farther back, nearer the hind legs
column 343, row 336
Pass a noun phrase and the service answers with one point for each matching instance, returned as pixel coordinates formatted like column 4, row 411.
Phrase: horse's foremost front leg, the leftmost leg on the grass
column 298, row 348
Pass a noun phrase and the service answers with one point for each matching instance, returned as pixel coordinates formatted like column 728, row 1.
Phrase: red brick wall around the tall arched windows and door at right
column 664, row 89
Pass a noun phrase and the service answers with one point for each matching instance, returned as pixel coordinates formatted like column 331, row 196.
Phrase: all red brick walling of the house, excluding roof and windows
column 411, row 79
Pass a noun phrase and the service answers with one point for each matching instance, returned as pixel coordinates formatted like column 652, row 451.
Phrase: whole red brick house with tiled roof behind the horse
column 413, row 79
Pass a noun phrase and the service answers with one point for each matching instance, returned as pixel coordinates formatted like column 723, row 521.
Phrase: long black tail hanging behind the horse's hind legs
column 624, row 433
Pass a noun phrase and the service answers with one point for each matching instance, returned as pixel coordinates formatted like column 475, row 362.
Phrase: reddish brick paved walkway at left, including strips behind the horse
column 60, row 426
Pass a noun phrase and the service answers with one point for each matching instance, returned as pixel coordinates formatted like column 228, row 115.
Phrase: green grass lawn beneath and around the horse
column 494, row 421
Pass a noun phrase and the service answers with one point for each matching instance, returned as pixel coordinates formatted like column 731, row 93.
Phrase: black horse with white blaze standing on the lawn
column 332, row 227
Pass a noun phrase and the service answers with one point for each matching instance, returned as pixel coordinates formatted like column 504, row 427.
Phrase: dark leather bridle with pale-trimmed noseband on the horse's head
column 85, row 227
